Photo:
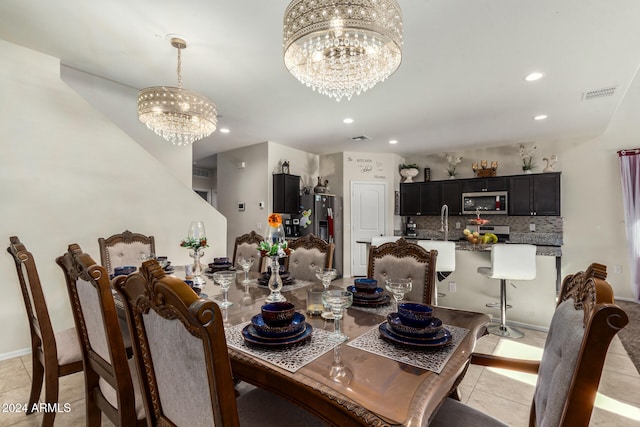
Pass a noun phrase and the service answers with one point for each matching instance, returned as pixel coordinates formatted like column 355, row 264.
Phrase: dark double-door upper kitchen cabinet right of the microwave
column 535, row 194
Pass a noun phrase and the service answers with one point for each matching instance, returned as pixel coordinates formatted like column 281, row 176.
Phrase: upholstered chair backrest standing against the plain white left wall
column 126, row 248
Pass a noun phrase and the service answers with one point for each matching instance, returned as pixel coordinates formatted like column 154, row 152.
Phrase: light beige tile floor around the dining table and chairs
column 504, row 395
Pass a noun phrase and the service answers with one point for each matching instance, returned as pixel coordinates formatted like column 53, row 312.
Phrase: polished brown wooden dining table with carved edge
column 363, row 381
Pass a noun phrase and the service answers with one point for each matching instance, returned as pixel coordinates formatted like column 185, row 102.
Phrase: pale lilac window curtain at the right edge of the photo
column 630, row 174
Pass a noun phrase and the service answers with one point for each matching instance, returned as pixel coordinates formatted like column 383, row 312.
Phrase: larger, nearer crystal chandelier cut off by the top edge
column 342, row 47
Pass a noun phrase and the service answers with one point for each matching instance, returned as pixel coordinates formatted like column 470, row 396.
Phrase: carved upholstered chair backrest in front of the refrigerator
column 309, row 254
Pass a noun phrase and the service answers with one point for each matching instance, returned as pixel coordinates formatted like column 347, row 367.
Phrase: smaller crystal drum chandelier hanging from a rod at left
column 178, row 115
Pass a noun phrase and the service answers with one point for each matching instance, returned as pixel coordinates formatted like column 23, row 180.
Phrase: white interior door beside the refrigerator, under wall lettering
column 368, row 219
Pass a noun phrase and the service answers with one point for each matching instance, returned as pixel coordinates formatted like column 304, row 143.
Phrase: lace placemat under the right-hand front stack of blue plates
column 432, row 359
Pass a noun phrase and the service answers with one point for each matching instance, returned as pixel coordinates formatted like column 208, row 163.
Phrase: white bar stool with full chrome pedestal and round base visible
column 509, row 262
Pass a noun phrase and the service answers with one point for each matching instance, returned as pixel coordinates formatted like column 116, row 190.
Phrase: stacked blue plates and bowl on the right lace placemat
column 414, row 326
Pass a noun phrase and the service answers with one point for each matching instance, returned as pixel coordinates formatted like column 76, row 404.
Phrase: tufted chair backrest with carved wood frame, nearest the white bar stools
column 405, row 260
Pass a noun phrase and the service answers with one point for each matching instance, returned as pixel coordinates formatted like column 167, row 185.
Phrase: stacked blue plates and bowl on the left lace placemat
column 281, row 333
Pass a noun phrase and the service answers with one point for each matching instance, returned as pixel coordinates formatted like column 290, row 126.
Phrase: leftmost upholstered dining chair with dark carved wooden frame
column 53, row 354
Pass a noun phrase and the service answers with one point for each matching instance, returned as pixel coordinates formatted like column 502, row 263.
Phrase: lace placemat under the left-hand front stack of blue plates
column 289, row 358
